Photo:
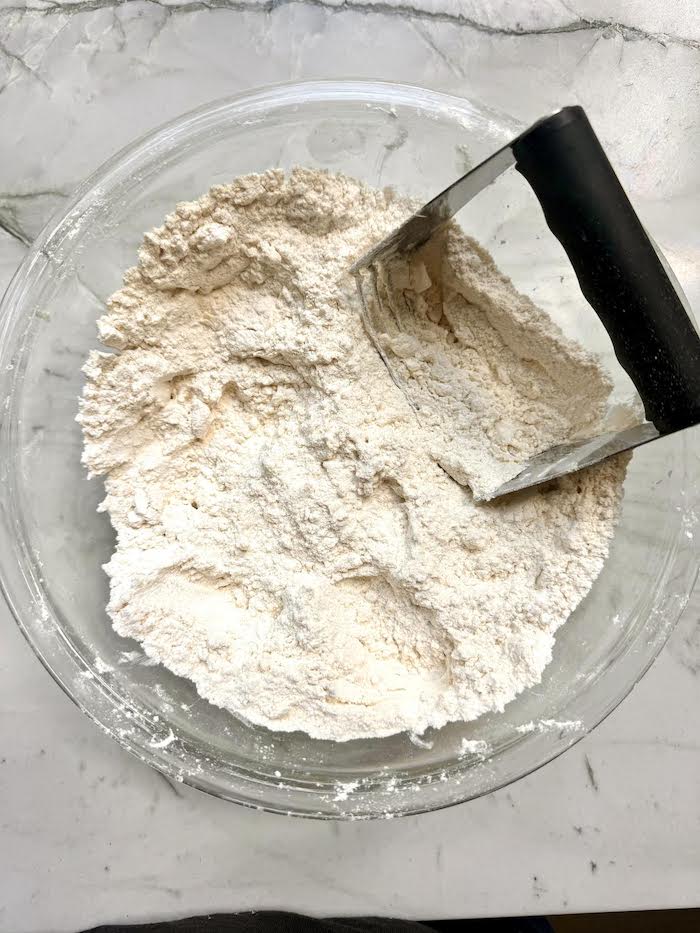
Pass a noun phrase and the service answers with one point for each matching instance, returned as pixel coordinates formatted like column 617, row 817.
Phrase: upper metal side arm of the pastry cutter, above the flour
column 421, row 226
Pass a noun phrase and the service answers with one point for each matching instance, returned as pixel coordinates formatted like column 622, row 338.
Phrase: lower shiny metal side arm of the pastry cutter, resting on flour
column 567, row 458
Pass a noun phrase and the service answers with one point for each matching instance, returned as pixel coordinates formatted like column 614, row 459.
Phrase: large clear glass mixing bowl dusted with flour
column 53, row 541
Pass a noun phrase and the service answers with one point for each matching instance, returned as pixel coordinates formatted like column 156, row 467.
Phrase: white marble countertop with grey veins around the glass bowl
column 89, row 835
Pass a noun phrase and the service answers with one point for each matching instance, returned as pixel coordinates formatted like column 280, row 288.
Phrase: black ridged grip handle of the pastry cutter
column 617, row 267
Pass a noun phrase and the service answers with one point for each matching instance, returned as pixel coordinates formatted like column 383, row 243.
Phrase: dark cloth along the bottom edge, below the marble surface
column 270, row 921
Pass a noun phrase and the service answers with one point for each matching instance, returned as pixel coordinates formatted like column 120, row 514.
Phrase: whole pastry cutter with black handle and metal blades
column 619, row 270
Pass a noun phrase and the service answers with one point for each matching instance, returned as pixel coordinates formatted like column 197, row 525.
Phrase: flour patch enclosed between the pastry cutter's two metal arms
column 494, row 381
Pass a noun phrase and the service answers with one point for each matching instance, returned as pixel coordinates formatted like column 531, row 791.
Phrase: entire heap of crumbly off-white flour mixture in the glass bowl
column 289, row 536
